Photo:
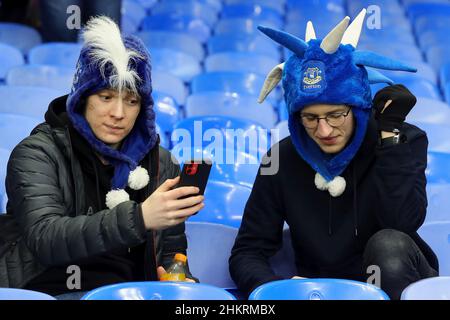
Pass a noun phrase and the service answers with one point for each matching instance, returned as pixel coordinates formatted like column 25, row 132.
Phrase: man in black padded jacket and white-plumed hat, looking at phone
column 91, row 186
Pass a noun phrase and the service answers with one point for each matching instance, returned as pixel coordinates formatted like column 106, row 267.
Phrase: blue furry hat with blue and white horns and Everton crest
column 328, row 71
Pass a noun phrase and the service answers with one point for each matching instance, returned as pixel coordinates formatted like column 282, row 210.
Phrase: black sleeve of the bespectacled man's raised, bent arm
column 400, row 183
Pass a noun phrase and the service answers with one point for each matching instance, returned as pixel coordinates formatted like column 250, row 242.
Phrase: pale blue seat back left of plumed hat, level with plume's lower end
column 53, row 77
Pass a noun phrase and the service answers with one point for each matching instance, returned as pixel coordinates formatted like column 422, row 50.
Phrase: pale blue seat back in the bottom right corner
column 437, row 288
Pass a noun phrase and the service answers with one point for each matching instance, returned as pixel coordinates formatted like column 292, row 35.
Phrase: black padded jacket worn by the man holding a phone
column 56, row 189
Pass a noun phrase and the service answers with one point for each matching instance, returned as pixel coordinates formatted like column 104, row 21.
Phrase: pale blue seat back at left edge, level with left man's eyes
column 27, row 100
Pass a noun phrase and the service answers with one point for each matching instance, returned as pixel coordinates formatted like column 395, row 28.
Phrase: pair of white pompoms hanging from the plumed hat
column 137, row 179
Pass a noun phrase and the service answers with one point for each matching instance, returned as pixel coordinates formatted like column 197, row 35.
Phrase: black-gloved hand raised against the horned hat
column 392, row 104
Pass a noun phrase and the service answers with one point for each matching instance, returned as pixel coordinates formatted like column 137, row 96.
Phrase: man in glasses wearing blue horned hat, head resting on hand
column 351, row 179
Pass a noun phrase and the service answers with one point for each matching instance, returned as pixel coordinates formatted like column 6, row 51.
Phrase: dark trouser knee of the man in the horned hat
column 399, row 260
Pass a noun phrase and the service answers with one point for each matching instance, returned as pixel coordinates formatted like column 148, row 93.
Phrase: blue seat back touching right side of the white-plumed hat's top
column 173, row 40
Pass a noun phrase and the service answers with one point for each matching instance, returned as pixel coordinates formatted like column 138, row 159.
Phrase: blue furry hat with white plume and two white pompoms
column 110, row 60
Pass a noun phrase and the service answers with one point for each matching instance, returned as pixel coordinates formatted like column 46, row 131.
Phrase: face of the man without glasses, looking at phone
column 112, row 116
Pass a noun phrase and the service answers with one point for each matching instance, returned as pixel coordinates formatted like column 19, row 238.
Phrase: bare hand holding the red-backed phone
column 163, row 209
